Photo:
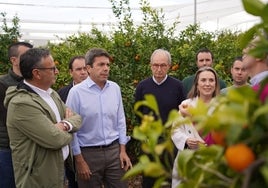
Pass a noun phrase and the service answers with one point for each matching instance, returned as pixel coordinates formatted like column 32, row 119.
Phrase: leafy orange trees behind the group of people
column 131, row 46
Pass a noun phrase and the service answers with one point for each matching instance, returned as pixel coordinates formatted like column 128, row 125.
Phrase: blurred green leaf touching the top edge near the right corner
column 254, row 7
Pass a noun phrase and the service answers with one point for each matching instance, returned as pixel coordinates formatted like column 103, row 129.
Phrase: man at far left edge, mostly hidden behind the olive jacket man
column 12, row 78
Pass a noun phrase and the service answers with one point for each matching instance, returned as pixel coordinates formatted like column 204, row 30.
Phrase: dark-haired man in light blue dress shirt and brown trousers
column 99, row 146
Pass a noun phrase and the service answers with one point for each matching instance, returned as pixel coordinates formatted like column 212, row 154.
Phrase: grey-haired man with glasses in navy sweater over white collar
column 167, row 90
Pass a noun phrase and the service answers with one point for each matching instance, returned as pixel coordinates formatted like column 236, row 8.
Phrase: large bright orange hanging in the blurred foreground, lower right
column 239, row 156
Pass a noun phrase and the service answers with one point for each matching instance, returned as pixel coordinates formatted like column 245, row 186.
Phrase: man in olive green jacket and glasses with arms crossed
column 40, row 127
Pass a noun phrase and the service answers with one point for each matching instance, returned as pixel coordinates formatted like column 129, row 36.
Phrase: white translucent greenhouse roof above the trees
column 41, row 21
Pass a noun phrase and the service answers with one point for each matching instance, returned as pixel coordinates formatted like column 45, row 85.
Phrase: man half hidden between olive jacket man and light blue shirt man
column 78, row 72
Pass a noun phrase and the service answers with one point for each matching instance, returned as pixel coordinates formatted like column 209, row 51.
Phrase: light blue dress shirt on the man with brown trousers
column 103, row 117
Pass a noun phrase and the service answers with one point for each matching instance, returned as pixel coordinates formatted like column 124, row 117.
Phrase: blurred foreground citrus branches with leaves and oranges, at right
column 238, row 124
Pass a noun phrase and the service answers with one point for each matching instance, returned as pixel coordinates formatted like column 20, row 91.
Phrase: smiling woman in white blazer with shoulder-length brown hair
column 205, row 88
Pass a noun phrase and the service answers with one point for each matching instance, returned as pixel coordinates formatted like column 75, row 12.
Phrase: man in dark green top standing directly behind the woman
column 204, row 57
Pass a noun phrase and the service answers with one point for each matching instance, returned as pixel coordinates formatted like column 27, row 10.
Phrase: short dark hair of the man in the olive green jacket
column 31, row 59
